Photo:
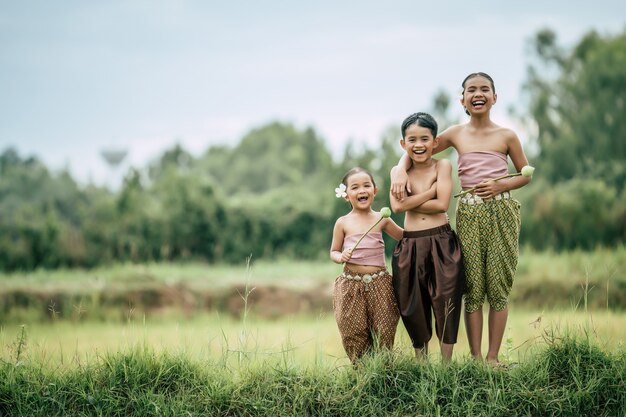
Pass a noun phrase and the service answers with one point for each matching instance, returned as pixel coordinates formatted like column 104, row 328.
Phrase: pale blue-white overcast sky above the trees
column 77, row 77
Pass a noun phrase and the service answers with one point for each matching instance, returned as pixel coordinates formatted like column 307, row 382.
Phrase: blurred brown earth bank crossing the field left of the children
column 149, row 299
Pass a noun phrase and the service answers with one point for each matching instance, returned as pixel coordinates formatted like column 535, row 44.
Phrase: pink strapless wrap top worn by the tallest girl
column 477, row 166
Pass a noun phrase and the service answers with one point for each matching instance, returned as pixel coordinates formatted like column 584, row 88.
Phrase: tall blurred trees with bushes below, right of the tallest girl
column 576, row 102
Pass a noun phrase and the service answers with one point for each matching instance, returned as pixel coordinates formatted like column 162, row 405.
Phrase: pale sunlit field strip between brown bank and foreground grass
column 303, row 339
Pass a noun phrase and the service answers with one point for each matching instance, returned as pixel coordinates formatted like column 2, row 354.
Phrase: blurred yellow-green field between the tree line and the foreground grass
column 310, row 337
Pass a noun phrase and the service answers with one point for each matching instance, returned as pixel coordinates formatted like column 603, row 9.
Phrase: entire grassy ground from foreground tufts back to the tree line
column 565, row 344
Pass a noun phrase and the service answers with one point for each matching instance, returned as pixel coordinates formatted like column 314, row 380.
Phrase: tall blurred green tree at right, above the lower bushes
column 577, row 99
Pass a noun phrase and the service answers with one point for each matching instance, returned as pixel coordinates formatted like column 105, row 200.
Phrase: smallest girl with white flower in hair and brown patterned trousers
column 363, row 300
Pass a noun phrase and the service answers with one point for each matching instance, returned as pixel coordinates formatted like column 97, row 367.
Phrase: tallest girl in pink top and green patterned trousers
column 488, row 219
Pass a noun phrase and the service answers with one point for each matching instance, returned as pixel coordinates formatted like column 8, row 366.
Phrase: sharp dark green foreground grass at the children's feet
column 568, row 377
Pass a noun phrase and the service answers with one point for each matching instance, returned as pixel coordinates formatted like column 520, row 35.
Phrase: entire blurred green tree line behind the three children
column 271, row 194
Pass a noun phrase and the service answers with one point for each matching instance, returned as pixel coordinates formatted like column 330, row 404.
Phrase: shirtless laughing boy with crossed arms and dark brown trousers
column 427, row 265
